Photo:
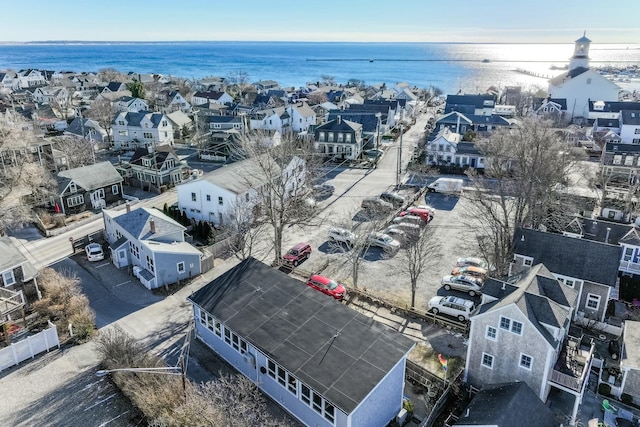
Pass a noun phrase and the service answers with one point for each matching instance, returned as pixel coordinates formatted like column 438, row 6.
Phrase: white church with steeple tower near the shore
column 579, row 83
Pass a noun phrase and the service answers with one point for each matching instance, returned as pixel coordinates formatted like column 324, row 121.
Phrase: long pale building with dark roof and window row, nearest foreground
column 325, row 364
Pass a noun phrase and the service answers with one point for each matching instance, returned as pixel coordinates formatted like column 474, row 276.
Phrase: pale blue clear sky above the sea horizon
column 482, row 21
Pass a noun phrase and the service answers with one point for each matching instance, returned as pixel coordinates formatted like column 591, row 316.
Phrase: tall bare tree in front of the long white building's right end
column 278, row 172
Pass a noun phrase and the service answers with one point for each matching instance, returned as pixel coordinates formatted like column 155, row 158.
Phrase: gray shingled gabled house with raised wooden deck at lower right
column 521, row 333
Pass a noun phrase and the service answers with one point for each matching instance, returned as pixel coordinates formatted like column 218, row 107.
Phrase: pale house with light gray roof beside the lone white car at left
column 153, row 244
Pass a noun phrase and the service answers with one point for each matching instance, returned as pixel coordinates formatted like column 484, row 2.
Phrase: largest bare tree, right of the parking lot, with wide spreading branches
column 526, row 166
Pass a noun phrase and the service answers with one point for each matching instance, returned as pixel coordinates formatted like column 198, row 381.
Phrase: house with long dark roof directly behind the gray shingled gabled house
column 590, row 267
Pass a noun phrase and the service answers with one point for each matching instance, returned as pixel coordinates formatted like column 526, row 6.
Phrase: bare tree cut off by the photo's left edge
column 24, row 181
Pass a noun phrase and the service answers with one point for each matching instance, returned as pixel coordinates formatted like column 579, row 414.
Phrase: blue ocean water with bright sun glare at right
column 449, row 66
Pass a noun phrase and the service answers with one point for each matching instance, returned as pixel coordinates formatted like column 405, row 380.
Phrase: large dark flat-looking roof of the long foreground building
column 338, row 352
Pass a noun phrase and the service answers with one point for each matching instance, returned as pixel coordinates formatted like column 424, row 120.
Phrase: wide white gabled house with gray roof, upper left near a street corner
column 141, row 129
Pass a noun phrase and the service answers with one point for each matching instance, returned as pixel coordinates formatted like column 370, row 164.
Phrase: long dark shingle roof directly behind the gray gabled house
column 580, row 258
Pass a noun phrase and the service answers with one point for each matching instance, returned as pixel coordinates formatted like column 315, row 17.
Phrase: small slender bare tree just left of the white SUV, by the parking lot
column 420, row 254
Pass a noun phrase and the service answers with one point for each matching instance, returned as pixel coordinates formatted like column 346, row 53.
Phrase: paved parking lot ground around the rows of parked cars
column 381, row 273
